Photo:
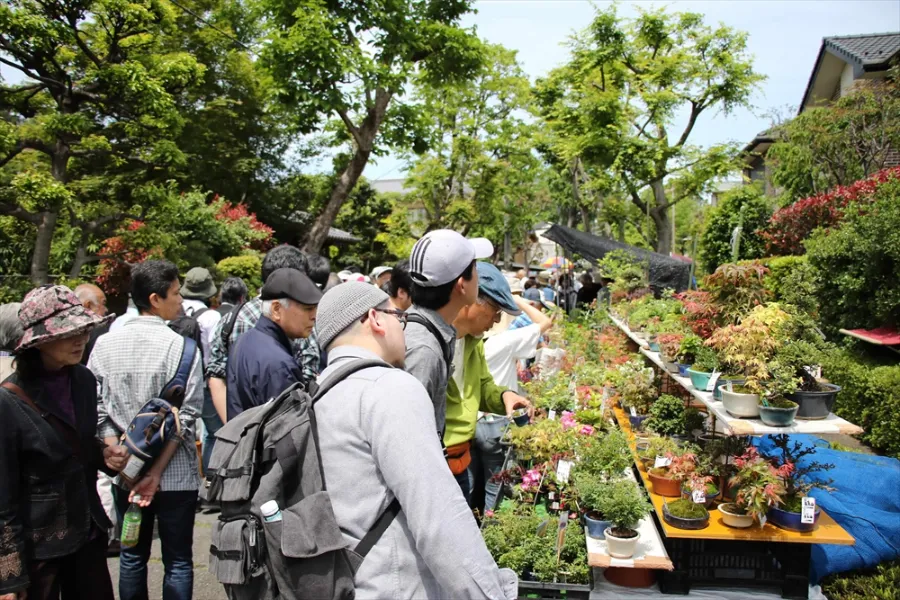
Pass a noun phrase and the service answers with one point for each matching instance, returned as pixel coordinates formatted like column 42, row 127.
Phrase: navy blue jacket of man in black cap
column 260, row 367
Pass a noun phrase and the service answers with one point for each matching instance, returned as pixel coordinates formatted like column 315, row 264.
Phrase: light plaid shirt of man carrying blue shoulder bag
column 132, row 365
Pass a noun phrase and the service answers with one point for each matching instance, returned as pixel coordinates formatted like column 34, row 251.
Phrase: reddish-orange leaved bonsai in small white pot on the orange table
column 758, row 487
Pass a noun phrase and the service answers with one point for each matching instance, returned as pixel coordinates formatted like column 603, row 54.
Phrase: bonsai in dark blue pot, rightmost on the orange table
column 786, row 458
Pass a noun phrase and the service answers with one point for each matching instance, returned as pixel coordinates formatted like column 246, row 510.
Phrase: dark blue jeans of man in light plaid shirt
column 174, row 512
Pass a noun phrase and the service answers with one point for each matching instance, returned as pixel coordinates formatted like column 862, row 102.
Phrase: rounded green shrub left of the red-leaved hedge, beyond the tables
column 745, row 206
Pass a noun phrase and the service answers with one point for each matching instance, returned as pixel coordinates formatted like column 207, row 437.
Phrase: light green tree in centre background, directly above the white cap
column 480, row 176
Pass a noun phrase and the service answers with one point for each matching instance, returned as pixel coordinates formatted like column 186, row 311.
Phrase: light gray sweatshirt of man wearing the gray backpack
column 377, row 443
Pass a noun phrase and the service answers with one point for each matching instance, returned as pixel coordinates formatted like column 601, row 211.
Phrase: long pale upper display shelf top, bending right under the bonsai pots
column 731, row 425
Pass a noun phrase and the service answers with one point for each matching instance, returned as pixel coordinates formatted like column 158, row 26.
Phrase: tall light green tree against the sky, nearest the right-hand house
column 658, row 65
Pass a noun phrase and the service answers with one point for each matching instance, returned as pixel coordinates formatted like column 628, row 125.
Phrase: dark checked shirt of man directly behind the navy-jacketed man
column 306, row 350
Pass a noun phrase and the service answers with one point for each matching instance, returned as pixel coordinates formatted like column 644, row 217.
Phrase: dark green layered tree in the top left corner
column 98, row 96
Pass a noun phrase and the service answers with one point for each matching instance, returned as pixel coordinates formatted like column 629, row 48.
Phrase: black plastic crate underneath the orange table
column 723, row 563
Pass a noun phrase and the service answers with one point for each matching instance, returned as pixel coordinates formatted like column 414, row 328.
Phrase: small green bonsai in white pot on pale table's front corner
column 624, row 505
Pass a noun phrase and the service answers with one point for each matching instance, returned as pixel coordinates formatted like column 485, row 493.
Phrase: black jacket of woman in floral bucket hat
column 48, row 494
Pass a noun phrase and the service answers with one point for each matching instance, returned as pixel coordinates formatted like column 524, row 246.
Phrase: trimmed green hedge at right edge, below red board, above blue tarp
column 870, row 397
